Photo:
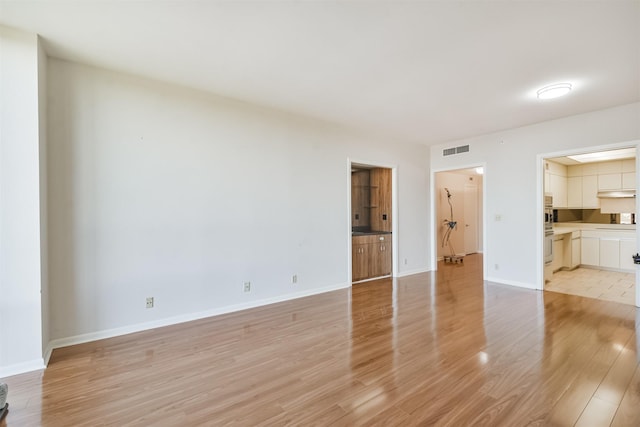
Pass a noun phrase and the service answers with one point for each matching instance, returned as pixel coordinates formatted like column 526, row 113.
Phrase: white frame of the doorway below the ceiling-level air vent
column 434, row 216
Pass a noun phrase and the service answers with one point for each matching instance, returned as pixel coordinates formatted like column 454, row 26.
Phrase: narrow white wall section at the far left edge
column 20, row 257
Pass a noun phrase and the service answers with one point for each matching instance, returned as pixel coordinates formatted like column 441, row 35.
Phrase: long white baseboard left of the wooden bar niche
column 110, row 333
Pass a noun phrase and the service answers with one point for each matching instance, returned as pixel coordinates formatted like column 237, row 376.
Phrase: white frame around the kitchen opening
column 540, row 158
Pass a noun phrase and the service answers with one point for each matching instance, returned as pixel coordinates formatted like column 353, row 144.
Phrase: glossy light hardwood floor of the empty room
column 431, row 349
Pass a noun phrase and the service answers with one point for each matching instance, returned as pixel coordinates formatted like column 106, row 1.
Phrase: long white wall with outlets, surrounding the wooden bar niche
column 156, row 190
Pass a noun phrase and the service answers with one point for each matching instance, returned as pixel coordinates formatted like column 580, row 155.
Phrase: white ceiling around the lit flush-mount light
column 420, row 71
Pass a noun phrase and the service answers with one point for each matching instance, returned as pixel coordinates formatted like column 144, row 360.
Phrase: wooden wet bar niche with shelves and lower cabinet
column 371, row 223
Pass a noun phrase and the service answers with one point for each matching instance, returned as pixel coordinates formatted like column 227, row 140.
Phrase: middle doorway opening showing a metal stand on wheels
column 458, row 213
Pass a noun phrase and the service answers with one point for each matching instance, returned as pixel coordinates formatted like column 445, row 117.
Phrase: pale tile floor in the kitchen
column 601, row 284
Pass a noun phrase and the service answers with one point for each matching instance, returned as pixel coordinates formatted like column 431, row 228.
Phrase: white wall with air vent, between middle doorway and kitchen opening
column 513, row 181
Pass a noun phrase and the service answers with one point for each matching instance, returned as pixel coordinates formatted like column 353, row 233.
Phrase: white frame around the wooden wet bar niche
column 394, row 213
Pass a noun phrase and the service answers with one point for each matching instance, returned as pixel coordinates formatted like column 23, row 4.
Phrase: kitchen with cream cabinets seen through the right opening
column 590, row 226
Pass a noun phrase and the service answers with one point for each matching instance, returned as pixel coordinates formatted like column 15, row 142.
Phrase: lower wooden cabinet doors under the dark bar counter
column 371, row 256
